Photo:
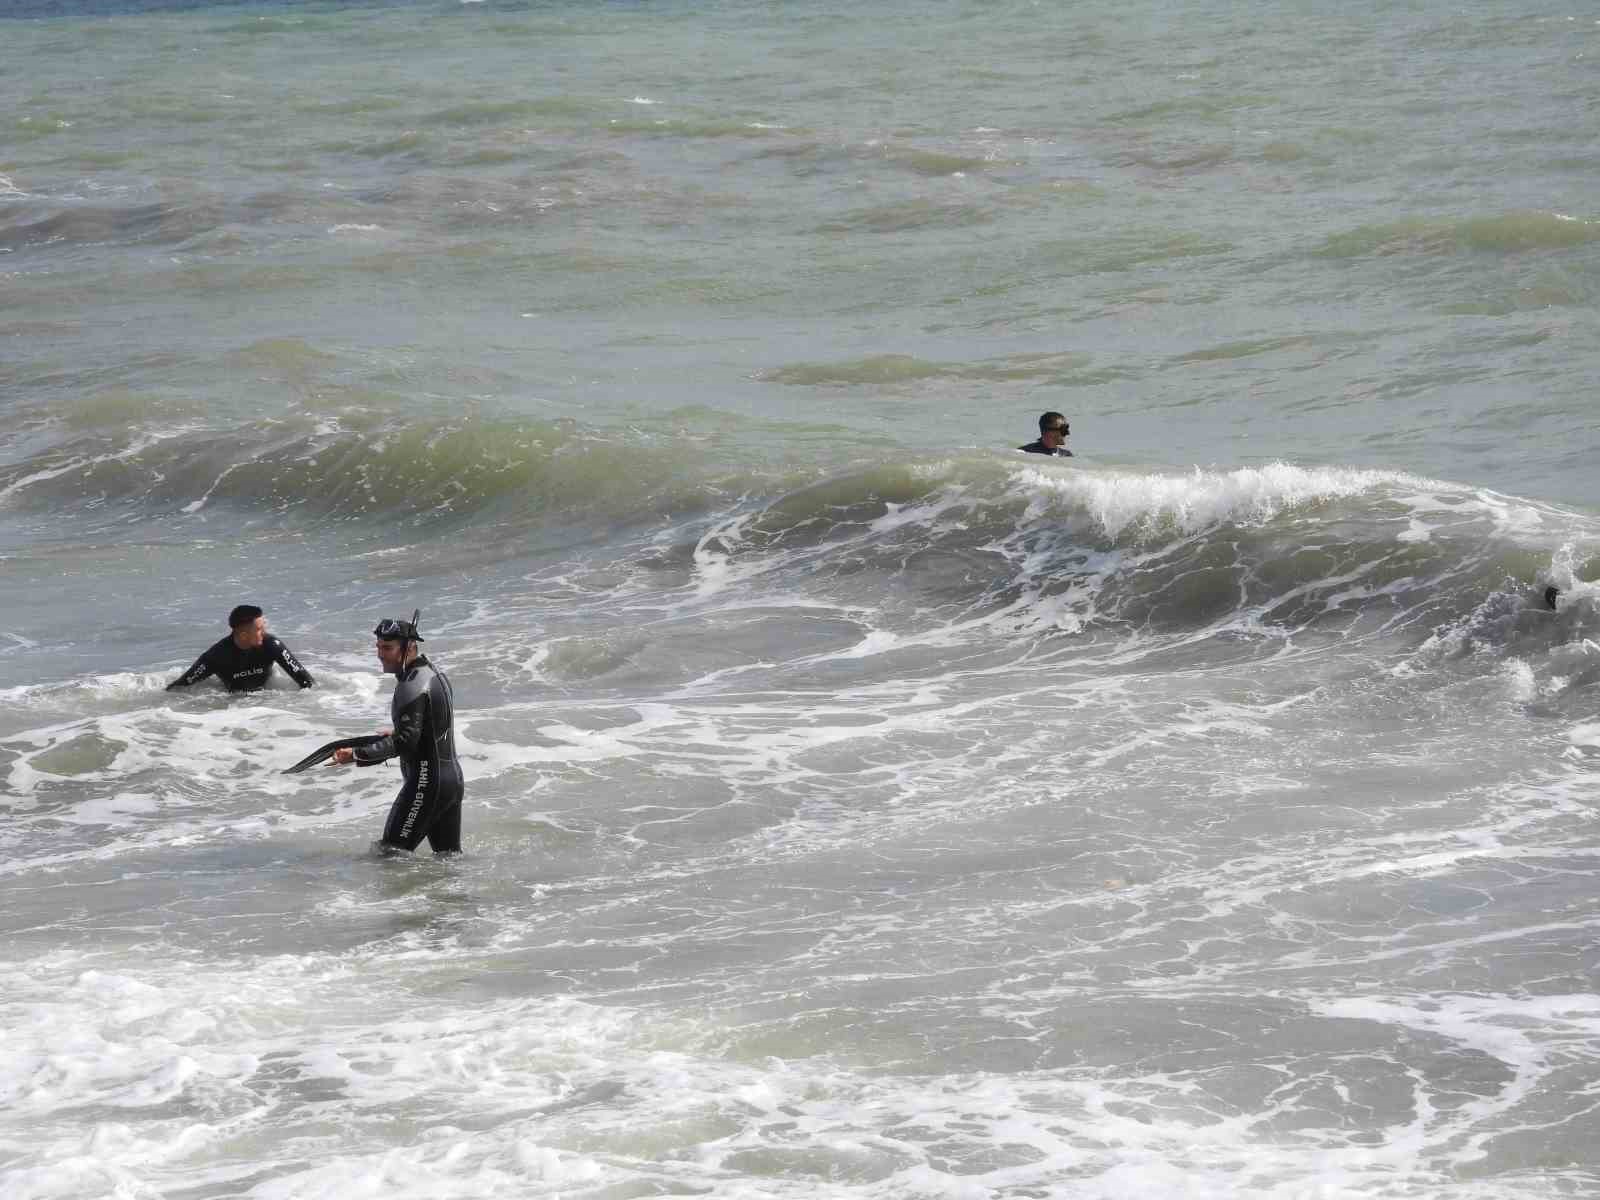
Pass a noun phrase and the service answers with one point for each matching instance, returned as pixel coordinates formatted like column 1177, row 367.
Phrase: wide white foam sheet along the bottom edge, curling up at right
column 545, row 1097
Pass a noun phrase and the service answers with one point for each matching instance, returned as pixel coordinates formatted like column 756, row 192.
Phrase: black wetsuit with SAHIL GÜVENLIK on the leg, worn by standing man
column 430, row 802
